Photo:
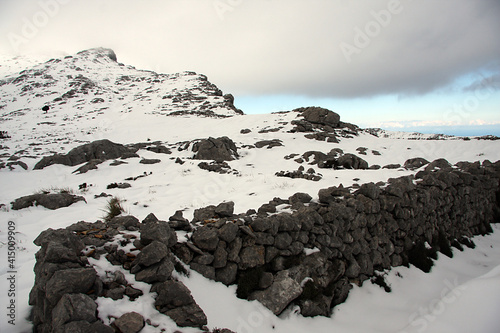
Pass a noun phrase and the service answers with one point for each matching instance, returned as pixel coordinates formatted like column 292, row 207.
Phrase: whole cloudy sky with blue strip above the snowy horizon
column 421, row 64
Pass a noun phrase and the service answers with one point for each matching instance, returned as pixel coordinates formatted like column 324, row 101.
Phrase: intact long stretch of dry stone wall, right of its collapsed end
column 312, row 254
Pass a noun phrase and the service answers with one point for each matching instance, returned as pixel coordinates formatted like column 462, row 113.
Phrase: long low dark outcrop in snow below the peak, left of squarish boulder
column 98, row 150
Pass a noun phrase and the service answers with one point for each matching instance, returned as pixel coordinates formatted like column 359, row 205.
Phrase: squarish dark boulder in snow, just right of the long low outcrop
column 217, row 149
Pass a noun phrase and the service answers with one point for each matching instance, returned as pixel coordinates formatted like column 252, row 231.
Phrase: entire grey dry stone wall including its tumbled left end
column 290, row 251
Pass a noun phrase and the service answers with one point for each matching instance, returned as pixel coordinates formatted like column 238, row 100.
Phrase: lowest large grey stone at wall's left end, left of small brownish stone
column 74, row 307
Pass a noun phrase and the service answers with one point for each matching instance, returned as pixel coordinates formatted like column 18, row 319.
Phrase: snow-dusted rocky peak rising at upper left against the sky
column 65, row 99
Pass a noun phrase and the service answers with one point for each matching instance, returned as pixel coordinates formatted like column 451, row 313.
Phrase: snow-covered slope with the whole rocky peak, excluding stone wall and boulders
column 91, row 96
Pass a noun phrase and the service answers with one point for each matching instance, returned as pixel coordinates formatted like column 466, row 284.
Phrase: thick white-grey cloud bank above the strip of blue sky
column 280, row 46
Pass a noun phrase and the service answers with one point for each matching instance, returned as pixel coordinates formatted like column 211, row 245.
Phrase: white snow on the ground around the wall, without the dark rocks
column 459, row 295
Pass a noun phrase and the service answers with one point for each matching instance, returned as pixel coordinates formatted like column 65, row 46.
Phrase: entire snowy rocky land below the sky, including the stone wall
column 136, row 201
